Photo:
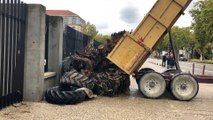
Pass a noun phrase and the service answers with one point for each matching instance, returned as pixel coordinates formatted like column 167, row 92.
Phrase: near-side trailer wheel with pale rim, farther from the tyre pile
column 184, row 87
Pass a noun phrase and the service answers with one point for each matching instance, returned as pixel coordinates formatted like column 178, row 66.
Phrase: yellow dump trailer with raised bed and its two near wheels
column 133, row 50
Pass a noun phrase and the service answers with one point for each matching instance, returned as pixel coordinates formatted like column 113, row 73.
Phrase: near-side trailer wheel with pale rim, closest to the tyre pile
column 152, row 85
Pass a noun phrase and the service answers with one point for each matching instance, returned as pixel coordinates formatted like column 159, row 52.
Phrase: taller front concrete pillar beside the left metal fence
column 34, row 53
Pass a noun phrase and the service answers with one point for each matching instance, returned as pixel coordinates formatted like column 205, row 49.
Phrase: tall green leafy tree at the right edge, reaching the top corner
column 203, row 25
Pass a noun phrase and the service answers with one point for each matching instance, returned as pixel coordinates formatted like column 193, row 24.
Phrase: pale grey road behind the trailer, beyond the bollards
column 187, row 66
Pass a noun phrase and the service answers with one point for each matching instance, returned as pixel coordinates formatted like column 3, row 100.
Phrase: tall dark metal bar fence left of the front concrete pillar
column 12, row 42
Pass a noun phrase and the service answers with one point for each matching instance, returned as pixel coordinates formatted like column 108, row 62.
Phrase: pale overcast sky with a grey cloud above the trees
column 110, row 16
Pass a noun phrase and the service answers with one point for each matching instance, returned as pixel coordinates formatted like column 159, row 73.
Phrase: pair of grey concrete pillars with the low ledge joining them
column 35, row 80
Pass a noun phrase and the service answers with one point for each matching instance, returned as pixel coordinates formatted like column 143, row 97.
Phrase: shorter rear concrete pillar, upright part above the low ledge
column 55, row 44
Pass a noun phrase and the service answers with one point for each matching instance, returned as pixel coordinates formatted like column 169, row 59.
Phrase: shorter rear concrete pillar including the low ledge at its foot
column 55, row 43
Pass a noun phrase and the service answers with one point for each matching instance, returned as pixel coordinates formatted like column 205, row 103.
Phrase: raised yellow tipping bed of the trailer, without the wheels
column 133, row 49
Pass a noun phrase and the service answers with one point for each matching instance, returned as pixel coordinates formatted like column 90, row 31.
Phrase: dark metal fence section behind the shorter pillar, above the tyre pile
column 73, row 40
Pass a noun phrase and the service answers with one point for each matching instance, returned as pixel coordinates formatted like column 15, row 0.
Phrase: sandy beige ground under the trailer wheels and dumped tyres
column 129, row 106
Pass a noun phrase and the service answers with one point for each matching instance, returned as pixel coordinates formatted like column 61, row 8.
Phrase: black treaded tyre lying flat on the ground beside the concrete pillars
column 58, row 95
